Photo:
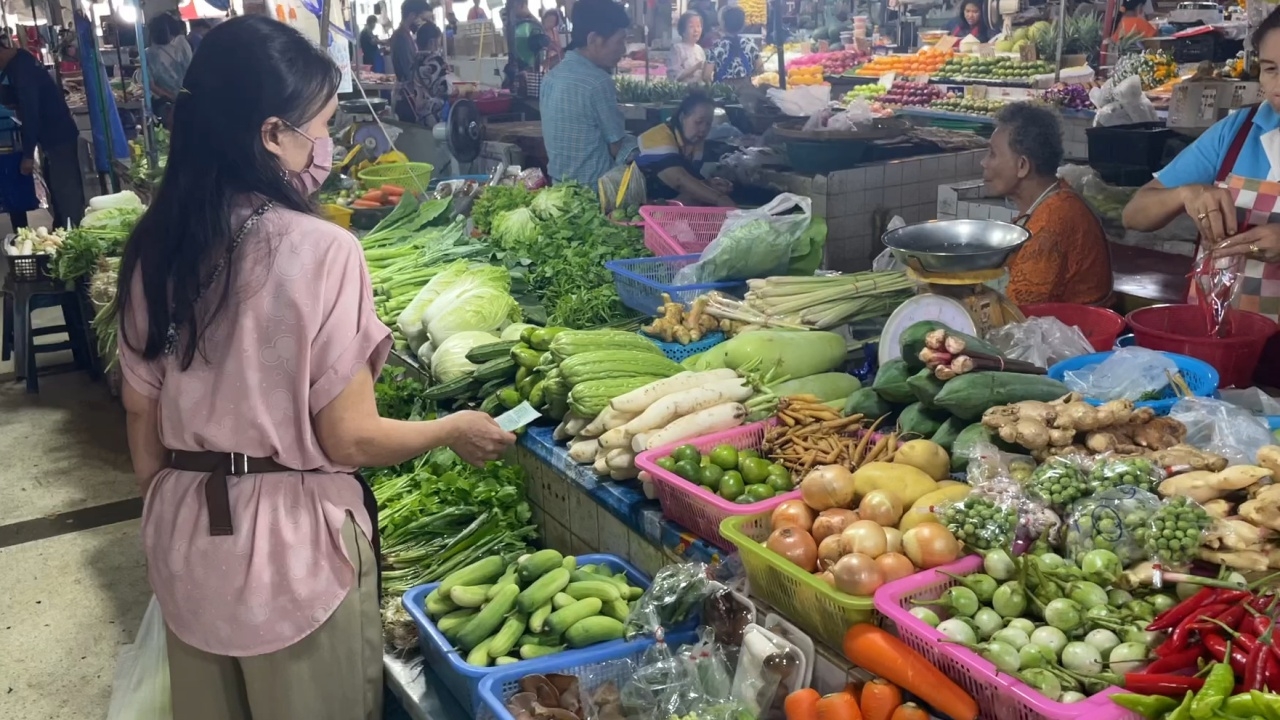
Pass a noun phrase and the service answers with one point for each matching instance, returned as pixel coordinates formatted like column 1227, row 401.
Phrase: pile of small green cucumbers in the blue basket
column 500, row 613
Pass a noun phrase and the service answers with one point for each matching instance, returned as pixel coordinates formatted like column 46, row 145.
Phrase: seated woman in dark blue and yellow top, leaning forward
column 671, row 157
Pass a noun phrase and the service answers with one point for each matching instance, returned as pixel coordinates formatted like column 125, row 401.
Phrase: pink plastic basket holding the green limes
column 697, row 508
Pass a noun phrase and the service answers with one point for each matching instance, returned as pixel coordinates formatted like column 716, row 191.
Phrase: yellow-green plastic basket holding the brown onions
column 813, row 605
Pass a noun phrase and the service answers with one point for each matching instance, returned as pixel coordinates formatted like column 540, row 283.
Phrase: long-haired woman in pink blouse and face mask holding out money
column 250, row 345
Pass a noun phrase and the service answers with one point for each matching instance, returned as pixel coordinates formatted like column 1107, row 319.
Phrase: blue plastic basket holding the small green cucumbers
column 464, row 681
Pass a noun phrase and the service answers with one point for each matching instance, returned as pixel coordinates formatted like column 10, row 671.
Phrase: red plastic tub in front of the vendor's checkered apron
column 1183, row 330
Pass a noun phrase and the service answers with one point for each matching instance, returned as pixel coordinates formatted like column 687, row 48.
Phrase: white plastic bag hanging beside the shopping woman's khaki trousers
column 141, row 687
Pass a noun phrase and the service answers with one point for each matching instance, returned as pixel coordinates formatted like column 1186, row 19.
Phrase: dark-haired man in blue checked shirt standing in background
column 583, row 129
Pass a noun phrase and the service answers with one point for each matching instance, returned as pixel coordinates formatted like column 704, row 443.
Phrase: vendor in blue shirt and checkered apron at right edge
column 1229, row 175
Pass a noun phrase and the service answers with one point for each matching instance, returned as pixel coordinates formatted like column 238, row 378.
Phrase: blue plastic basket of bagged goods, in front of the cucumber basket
column 619, row 667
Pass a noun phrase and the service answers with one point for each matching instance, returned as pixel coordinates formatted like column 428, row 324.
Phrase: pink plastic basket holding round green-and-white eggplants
column 1000, row 698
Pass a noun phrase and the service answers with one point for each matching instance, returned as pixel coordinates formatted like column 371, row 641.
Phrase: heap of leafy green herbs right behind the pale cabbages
column 563, row 240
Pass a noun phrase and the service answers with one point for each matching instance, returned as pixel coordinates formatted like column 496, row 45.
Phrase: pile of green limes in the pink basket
column 735, row 475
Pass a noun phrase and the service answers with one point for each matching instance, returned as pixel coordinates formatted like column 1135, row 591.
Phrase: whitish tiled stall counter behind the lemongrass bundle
column 849, row 200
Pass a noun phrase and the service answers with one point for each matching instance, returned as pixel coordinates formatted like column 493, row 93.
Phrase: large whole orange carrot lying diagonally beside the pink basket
column 881, row 654
